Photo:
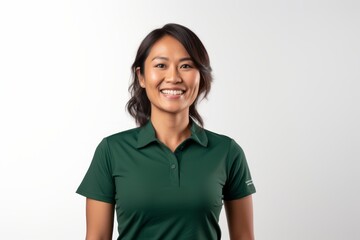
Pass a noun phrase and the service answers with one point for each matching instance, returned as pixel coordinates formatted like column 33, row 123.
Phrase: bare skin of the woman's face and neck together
column 169, row 67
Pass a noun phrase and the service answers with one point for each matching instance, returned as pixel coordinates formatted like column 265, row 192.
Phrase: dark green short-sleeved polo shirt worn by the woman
column 160, row 194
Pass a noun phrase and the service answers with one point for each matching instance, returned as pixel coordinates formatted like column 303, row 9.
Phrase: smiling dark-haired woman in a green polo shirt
column 168, row 178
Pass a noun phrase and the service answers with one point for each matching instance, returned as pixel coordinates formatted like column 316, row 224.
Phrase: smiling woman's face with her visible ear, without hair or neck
column 170, row 77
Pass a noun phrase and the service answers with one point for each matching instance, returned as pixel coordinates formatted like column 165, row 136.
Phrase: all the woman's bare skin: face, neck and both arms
column 169, row 67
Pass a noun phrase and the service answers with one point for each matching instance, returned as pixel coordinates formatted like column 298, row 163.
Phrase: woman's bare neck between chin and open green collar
column 171, row 129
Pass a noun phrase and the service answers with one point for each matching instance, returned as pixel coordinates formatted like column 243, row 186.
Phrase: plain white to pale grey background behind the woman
column 286, row 89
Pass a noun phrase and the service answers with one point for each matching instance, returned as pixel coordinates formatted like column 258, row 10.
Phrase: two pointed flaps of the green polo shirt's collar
column 147, row 134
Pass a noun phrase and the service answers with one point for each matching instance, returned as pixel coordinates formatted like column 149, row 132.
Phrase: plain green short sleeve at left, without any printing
column 98, row 182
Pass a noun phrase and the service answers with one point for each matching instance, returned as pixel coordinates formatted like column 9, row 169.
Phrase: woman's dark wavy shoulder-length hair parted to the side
column 139, row 105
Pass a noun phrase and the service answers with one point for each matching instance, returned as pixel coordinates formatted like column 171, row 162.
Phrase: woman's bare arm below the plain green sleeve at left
column 99, row 220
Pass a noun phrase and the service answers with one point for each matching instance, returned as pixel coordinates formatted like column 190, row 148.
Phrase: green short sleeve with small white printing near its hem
column 239, row 183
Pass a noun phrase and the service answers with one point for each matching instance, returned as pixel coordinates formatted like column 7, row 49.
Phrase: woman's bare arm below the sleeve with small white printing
column 239, row 214
